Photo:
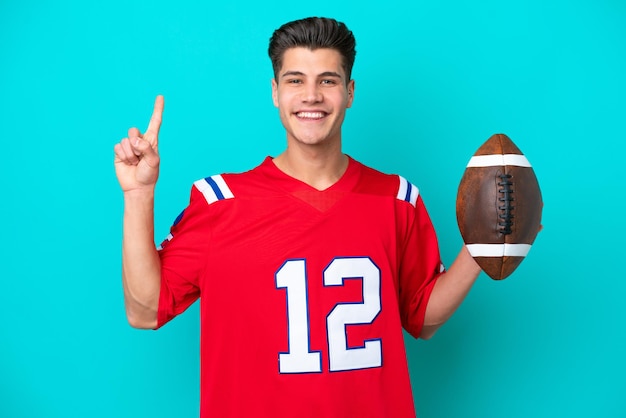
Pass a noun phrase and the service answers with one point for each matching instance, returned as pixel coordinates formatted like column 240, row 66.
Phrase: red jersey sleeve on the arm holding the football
column 420, row 266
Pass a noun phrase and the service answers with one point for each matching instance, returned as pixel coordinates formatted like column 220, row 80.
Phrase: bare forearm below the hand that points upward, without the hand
column 141, row 267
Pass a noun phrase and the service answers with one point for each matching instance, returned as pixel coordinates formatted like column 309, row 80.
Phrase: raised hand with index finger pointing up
column 137, row 156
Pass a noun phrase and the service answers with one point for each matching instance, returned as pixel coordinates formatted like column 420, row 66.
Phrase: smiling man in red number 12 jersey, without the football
column 308, row 266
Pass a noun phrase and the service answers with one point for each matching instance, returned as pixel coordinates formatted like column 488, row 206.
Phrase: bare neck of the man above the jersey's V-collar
column 319, row 169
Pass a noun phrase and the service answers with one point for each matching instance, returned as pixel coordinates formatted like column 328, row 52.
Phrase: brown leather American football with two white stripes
column 499, row 206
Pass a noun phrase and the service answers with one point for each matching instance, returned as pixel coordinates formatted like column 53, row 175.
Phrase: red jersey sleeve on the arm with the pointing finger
column 183, row 254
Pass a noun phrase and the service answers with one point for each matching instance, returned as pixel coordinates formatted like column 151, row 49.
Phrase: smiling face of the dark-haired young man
column 312, row 95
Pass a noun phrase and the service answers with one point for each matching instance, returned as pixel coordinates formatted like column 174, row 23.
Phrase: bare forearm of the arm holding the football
column 449, row 292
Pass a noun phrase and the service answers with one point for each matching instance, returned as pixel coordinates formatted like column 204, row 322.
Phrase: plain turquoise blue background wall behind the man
column 434, row 80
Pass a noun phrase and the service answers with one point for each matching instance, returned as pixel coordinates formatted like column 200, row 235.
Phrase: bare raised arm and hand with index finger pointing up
column 137, row 169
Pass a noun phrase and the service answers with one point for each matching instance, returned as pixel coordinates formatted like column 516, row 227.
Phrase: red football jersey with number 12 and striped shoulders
column 304, row 293
